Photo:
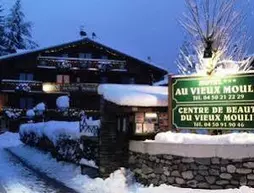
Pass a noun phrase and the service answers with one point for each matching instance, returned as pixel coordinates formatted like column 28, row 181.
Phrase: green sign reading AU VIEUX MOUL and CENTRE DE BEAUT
column 213, row 102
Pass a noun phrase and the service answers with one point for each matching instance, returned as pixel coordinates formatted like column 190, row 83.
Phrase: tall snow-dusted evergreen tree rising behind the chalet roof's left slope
column 18, row 31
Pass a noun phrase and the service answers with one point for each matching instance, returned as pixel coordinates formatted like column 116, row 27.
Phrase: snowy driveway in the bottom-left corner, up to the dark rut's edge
column 16, row 177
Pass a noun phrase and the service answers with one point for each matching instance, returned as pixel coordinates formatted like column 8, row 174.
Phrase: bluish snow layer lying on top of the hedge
column 53, row 130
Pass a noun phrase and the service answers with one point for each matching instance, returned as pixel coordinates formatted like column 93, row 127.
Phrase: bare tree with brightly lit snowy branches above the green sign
column 214, row 28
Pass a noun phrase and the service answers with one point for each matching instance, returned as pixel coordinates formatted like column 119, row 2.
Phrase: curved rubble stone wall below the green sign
column 193, row 172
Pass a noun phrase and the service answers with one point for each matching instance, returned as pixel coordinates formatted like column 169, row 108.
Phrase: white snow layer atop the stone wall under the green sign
column 189, row 138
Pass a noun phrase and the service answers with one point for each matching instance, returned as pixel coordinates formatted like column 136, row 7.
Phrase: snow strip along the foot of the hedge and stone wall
column 120, row 181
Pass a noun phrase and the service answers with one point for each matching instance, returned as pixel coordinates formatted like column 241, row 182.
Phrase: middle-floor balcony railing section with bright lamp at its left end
column 72, row 87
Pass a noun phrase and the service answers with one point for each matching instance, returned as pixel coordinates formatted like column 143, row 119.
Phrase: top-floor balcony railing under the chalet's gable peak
column 81, row 63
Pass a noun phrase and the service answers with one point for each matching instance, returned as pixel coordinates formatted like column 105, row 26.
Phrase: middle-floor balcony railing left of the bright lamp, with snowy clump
column 8, row 85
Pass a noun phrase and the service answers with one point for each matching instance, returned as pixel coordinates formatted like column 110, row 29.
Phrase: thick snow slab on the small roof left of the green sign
column 135, row 95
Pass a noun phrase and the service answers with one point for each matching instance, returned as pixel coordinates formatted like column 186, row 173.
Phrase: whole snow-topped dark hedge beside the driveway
column 60, row 138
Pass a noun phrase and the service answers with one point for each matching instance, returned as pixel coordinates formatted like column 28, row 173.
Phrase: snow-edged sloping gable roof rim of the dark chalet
column 84, row 40
